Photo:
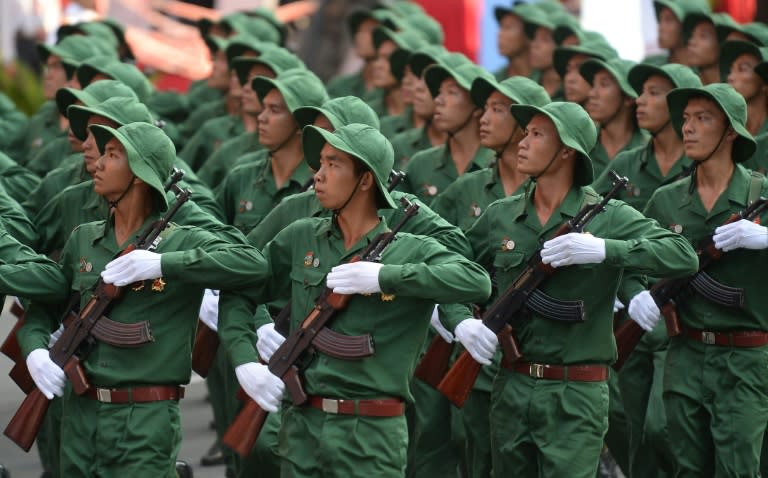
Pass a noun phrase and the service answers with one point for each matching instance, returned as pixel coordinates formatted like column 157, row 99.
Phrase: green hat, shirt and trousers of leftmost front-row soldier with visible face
column 93, row 431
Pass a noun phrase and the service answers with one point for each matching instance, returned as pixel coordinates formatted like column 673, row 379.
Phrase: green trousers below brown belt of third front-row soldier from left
column 547, row 428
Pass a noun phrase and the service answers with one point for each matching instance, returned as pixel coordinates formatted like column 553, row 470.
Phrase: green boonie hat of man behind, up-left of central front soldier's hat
column 299, row 87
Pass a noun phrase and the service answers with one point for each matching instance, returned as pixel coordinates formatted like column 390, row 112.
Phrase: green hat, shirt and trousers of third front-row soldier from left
column 551, row 427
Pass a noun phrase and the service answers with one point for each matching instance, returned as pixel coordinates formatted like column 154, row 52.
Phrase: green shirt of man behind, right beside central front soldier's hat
column 429, row 172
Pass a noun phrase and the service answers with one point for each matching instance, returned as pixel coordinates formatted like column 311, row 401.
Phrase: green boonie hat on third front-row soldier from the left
column 575, row 128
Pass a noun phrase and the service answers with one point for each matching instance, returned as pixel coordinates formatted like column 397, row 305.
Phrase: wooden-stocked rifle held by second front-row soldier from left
column 242, row 433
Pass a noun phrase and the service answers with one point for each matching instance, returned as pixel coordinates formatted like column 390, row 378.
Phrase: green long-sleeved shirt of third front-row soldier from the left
column 509, row 233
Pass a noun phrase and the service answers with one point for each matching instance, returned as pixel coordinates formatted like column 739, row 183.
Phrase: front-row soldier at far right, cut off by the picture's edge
column 714, row 392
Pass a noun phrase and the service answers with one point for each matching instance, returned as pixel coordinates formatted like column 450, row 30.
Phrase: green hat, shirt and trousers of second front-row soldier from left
column 313, row 443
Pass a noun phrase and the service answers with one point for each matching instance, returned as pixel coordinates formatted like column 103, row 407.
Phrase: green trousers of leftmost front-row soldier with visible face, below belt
column 119, row 440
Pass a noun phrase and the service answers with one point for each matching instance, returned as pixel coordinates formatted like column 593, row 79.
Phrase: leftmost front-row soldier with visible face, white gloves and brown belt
column 133, row 389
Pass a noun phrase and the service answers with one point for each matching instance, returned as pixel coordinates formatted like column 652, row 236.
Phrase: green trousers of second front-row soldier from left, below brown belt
column 318, row 444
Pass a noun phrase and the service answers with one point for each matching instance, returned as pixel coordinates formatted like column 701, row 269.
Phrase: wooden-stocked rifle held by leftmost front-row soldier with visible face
column 77, row 336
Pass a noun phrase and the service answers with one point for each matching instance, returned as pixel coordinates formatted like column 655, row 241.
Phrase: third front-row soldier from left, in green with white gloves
column 549, row 414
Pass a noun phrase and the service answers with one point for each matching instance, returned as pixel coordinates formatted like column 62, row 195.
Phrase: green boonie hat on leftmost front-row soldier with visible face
column 149, row 150
